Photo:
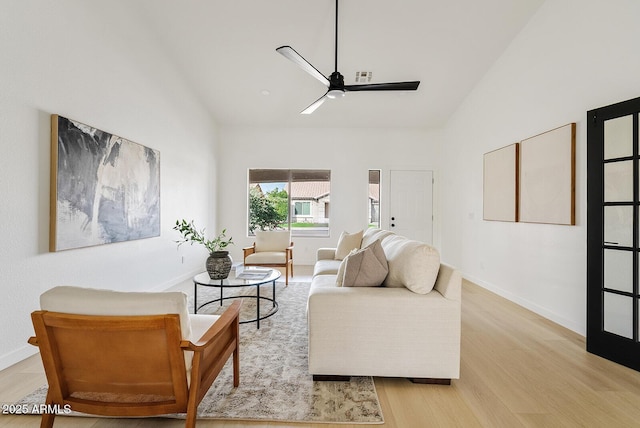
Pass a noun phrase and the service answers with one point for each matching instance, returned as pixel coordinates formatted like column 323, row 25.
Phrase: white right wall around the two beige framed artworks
column 574, row 55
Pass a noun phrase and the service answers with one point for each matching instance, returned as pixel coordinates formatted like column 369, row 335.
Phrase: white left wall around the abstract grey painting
column 93, row 63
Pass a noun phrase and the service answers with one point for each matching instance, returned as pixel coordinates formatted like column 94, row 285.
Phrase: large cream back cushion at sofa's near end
column 412, row 264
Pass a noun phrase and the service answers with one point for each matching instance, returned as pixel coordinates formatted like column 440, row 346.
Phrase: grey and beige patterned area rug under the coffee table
column 274, row 381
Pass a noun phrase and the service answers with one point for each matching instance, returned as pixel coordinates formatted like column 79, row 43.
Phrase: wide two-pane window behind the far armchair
column 298, row 200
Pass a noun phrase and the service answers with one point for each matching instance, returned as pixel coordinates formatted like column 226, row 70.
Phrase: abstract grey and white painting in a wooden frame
column 104, row 188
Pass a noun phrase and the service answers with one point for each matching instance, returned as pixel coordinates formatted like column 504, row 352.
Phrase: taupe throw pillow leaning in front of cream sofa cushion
column 366, row 267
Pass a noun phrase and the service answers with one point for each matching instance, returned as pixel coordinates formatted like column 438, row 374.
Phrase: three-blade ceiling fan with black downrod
column 335, row 83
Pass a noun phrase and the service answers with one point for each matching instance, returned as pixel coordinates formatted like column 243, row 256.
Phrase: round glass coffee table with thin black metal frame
column 233, row 282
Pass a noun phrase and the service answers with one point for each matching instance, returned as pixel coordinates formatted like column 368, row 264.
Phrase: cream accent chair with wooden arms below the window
column 272, row 248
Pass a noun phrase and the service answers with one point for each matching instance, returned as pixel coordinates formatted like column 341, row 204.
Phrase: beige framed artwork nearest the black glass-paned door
column 547, row 177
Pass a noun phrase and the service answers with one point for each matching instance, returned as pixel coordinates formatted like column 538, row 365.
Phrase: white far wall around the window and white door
column 348, row 153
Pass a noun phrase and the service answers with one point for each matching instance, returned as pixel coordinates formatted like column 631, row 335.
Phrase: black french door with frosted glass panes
column 613, row 228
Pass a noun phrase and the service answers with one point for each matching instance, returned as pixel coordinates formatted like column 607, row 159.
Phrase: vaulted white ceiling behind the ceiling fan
column 226, row 51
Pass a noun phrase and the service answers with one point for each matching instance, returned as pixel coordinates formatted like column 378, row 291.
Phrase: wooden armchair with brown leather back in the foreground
column 130, row 354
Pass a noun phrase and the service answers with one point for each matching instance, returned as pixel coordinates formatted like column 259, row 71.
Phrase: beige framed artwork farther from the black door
column 500, row 184
